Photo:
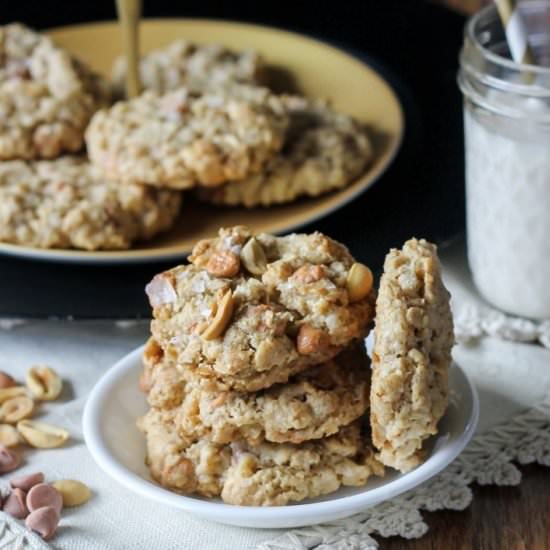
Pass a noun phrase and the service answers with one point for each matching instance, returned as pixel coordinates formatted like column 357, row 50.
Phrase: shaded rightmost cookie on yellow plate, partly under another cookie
column 323, row 151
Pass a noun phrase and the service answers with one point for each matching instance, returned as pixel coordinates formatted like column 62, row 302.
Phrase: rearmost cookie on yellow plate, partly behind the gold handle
column 194, row 66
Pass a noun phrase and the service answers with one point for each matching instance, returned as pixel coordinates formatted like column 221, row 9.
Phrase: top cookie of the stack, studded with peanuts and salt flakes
column 251, row 311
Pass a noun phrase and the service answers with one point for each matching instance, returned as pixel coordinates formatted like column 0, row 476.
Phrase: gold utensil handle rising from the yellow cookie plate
column 129, row 12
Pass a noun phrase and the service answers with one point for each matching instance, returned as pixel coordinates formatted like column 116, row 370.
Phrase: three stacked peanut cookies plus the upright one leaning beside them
column 257, row 378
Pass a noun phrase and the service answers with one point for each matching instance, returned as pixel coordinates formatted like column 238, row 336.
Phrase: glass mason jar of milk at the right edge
column 507, row 153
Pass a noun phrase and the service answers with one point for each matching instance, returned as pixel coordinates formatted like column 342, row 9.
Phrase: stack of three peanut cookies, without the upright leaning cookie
column 256, row 373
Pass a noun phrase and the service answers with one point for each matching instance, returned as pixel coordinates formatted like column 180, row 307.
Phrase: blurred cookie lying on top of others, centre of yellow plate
column 185, row 138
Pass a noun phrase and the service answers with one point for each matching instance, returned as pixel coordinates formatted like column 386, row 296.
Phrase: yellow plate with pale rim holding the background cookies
column 318, row 69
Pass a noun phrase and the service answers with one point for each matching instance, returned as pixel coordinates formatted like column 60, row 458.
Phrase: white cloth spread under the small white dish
column 512, row 378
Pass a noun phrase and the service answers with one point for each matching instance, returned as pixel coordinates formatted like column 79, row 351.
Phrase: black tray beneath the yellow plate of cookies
column 413, row 44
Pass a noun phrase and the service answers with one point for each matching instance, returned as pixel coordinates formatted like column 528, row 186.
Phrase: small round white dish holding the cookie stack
column 119, row 449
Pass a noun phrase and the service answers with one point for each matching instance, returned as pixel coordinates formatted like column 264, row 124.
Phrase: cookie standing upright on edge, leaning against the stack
column 413, row 338
